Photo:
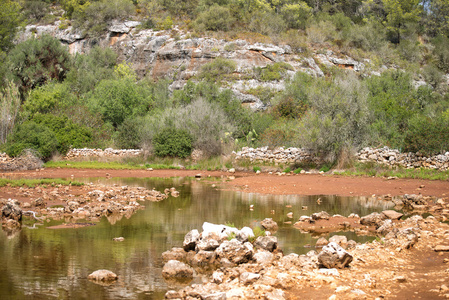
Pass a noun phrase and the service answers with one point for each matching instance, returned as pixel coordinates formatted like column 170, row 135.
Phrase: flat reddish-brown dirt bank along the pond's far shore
column 304, row 184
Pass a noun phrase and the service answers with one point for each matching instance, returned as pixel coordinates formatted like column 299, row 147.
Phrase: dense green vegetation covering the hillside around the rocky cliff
column 51, row 101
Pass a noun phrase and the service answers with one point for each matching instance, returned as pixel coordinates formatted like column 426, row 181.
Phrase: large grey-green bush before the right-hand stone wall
column 338, row 118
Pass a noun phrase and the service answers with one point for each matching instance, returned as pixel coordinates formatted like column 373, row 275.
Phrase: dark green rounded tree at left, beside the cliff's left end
column 37, row 61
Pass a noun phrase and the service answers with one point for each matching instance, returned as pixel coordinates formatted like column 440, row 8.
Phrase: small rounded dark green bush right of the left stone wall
column 173, row 142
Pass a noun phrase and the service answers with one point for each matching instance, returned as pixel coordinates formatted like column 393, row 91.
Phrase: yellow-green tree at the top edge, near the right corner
column 400, row 13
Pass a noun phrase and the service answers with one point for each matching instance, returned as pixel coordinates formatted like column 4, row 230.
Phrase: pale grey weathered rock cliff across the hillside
column 177, row 55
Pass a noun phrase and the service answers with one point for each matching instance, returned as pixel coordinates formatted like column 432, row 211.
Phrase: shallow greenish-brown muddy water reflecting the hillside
column 44, row 263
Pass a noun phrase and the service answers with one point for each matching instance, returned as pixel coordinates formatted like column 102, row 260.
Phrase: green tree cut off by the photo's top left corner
column 10, row 20
